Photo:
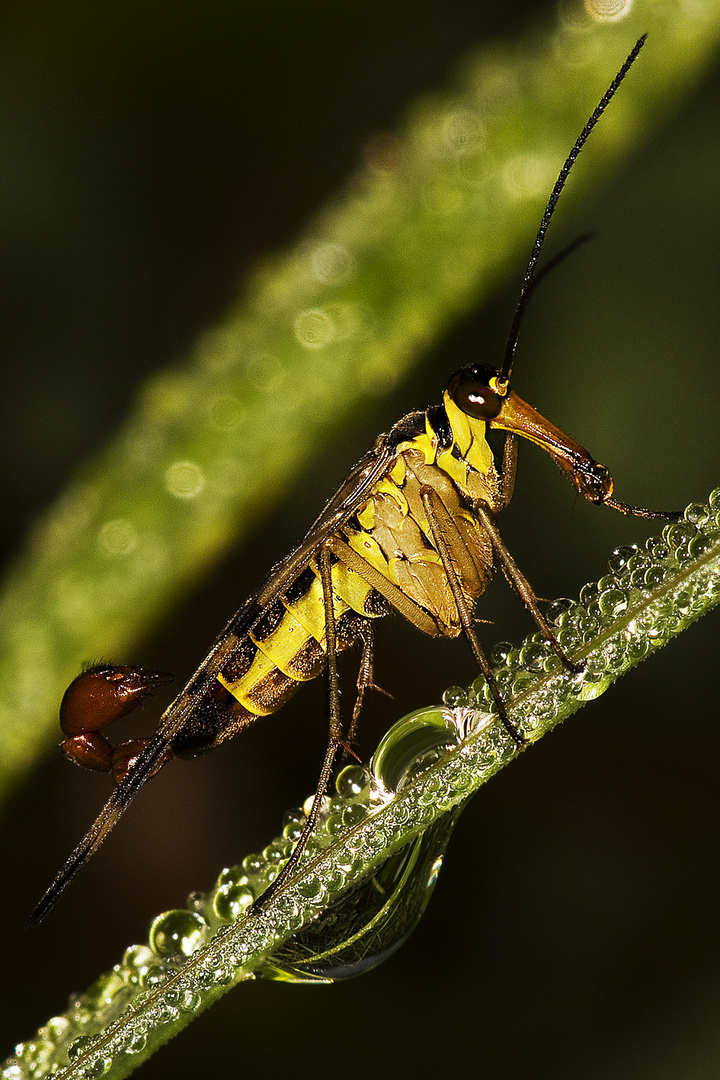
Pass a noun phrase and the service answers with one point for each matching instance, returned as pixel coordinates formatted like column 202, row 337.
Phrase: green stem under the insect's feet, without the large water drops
column 648, row 599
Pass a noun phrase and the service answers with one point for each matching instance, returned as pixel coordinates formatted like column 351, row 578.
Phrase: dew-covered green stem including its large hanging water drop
column 396, row 819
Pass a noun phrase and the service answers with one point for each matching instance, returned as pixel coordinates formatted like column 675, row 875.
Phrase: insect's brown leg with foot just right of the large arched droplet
column 449, row 541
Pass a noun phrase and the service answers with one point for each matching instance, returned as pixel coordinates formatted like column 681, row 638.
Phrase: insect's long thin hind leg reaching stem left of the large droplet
column 335, row 739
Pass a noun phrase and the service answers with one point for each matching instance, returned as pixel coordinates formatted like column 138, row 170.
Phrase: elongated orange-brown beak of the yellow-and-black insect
column 590, row 478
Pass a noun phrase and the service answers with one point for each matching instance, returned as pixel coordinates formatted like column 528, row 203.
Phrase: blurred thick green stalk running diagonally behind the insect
column 426, row 229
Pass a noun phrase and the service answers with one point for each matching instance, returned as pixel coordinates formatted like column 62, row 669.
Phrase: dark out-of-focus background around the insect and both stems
column 151, row 154
